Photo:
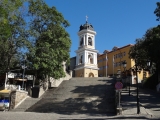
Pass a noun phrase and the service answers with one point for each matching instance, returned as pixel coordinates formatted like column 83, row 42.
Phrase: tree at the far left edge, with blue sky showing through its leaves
column 12, row 33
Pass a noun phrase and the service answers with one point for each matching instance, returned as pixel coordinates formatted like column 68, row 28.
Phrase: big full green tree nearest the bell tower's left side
column 51, row 41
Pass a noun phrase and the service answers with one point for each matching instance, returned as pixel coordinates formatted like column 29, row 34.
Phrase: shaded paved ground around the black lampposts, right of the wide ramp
column 149, row 103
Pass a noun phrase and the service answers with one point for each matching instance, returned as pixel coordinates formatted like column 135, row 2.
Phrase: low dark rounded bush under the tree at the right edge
column 150, row 82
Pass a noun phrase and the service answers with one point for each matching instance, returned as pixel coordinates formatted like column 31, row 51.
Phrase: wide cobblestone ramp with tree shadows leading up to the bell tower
column 79, row 96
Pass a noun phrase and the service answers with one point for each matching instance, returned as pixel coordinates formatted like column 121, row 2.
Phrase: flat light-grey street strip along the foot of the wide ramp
column 54, row 116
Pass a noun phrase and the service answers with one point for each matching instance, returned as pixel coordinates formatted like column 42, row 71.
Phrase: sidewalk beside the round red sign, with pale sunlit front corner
column 129, row 103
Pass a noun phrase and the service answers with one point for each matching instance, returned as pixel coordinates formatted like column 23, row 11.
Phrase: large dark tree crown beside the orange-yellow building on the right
column 147, row 48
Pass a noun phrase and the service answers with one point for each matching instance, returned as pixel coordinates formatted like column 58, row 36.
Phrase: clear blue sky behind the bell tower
column 117, row 22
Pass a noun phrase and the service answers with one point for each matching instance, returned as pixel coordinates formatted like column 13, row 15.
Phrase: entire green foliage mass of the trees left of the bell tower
column 43, row 35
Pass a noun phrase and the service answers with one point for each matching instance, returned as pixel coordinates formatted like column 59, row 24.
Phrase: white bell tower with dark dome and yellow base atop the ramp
column 86, row 55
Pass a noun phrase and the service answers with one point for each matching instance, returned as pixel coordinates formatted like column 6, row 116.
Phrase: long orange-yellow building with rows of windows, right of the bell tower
column 114, row 64
